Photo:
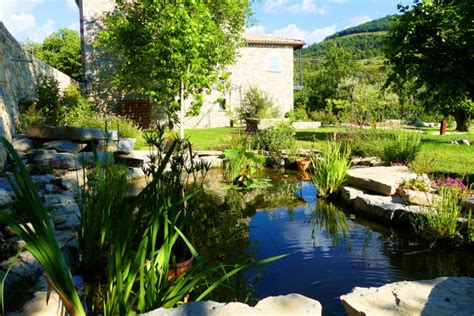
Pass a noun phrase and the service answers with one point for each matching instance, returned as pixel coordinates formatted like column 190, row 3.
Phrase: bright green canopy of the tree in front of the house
column 163, row 47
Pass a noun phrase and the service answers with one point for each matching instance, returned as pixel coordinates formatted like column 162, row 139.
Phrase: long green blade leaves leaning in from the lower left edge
column 32, row 224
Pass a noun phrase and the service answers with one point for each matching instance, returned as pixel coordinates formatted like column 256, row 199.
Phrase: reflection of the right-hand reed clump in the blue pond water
column 326, row 216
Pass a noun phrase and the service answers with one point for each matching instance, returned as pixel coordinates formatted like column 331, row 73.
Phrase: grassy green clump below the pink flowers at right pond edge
column 440, row 219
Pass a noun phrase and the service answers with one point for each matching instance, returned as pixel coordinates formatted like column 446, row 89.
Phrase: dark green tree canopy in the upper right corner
column 431, row 47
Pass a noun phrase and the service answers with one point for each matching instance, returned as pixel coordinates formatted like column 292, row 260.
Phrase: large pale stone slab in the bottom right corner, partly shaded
column 441, row 296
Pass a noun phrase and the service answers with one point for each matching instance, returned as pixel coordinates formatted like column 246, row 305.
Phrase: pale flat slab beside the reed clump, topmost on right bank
column 382, row 180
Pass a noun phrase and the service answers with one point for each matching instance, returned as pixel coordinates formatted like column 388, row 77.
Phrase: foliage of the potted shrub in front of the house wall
column 257, row 104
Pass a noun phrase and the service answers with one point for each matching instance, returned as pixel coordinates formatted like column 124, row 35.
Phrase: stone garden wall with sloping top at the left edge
column 18, row 72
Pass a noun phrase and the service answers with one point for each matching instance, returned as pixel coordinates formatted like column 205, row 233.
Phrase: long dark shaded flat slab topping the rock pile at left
column 68, row 132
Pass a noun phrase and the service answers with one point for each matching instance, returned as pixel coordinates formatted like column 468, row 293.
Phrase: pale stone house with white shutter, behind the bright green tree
column 265, row 62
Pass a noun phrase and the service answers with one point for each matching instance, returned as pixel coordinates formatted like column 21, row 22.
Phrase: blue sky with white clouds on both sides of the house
column 311, row 20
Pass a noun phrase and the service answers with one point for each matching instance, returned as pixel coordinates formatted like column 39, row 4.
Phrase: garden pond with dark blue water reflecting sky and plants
column 330, row 249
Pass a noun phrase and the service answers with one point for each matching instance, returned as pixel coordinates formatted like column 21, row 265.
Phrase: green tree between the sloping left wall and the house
column 62, row 50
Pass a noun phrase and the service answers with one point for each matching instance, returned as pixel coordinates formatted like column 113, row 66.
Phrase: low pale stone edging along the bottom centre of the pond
column 292, row 304
